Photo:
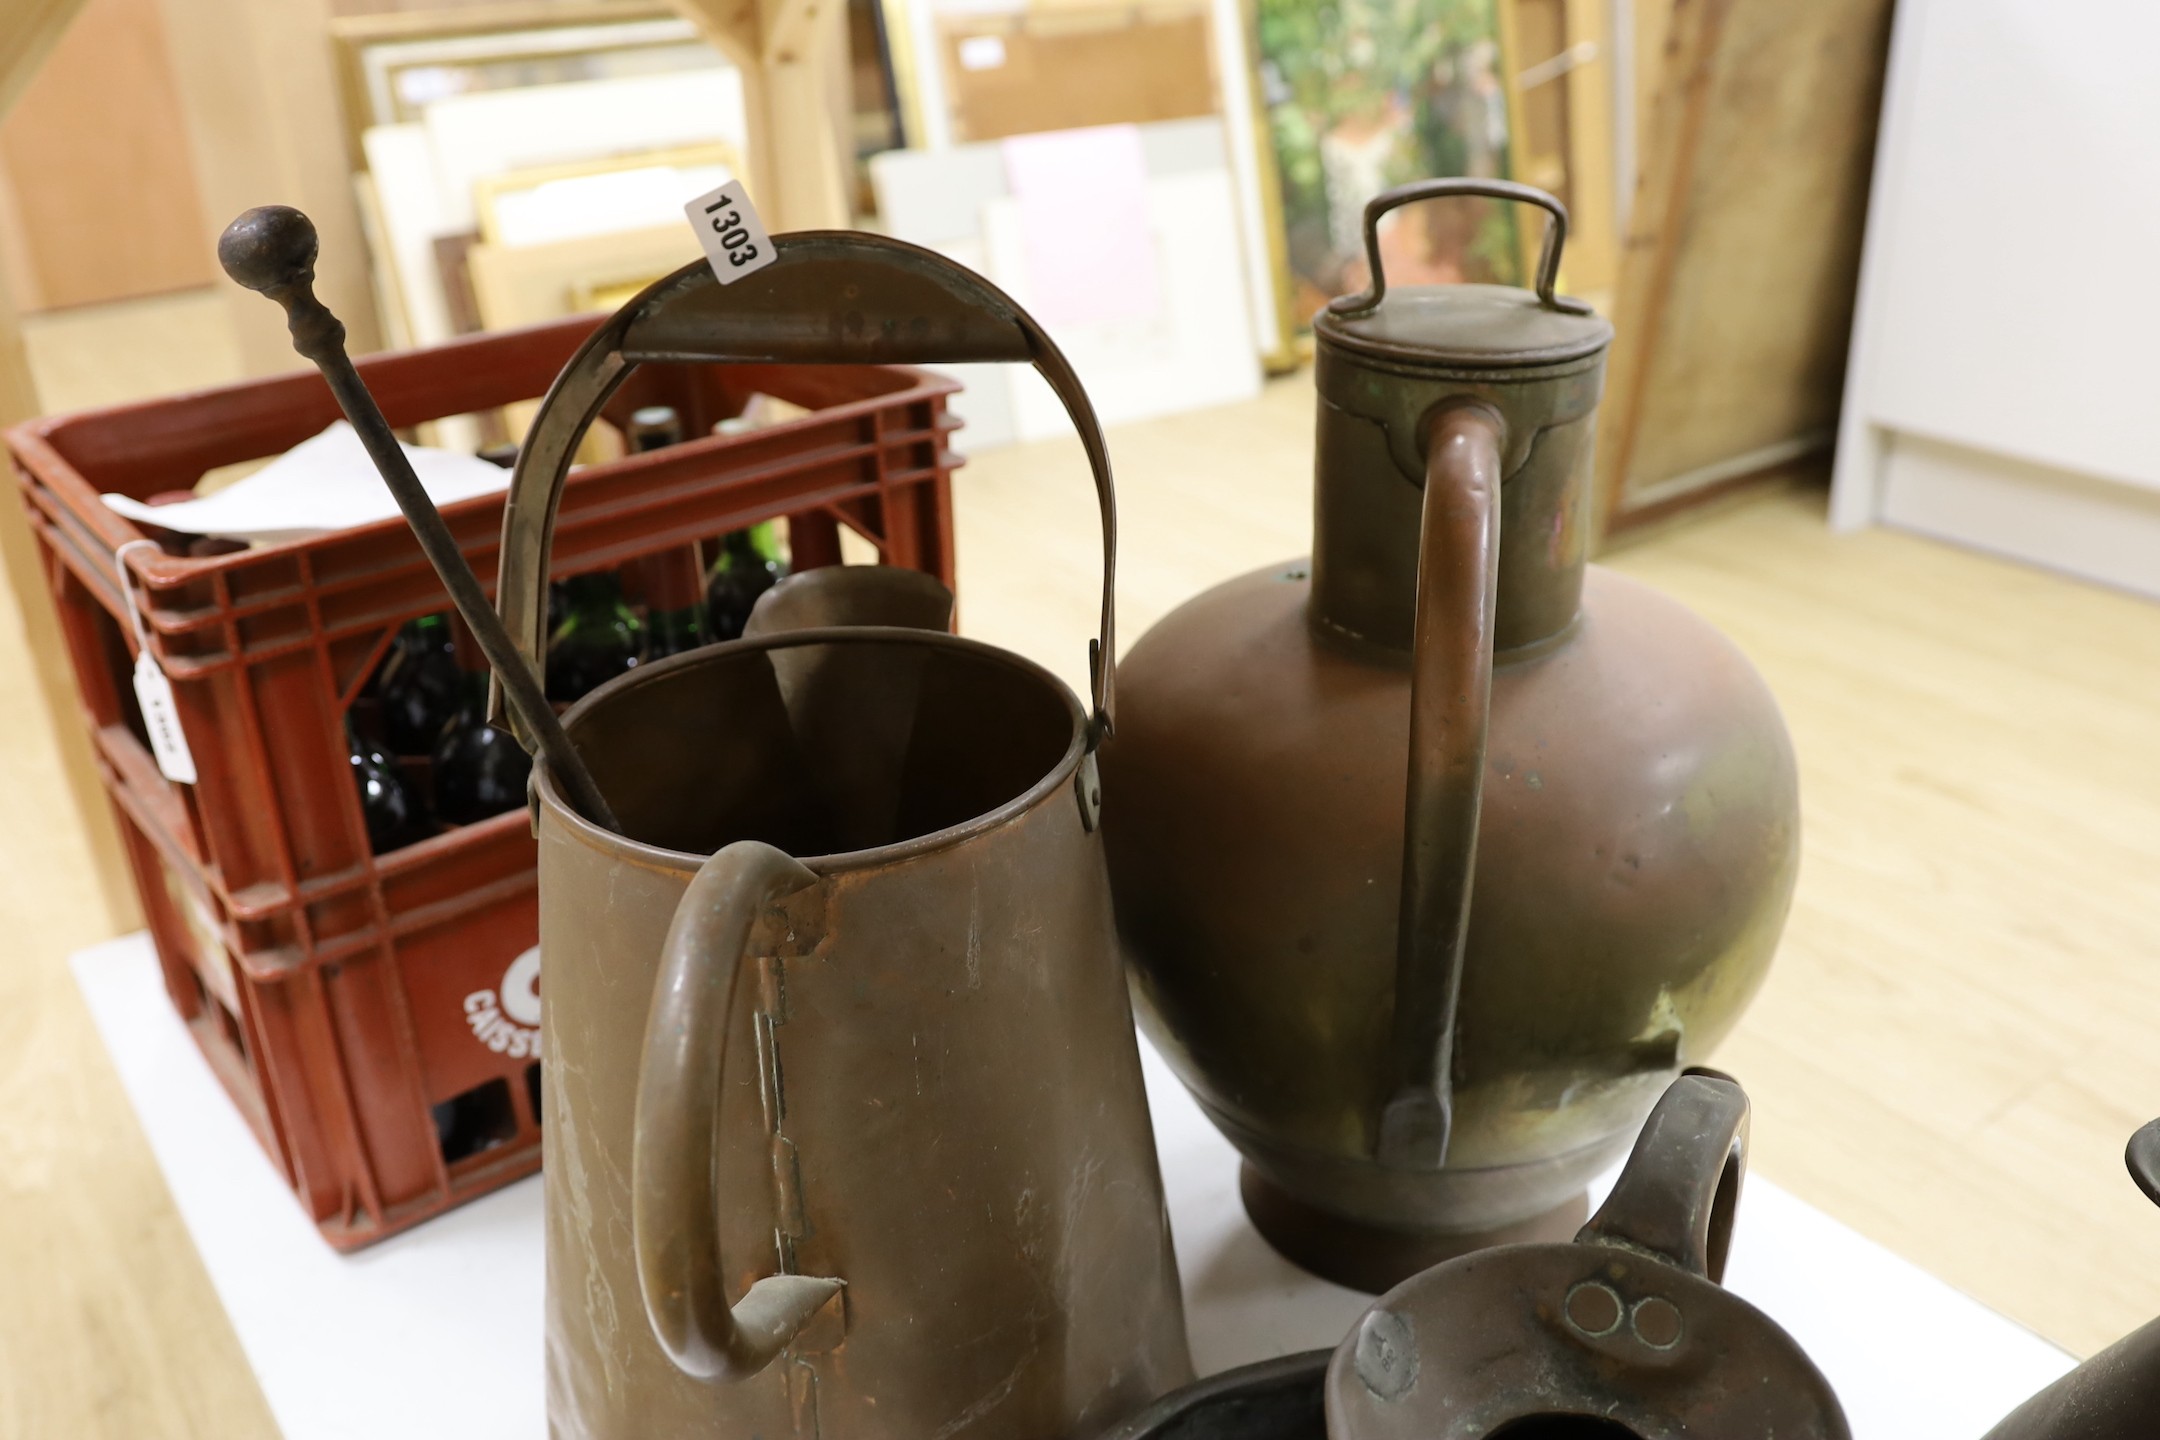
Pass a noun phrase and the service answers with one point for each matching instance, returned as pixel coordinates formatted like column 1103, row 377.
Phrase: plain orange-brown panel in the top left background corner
column 98, row 163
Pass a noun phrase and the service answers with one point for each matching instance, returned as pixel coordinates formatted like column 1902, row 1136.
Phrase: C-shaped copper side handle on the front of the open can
column 675, row 1206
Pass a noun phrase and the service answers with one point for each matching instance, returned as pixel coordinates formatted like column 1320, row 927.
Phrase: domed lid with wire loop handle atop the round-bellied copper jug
column 1466, row 327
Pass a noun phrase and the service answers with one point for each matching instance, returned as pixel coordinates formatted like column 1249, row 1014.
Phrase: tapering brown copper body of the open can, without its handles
column 932, row 1087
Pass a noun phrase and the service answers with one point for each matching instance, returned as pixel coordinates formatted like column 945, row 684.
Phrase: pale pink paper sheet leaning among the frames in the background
column 1083, row 223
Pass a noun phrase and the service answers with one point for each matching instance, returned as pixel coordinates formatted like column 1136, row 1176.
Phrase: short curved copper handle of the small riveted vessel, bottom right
column 1682, row 1186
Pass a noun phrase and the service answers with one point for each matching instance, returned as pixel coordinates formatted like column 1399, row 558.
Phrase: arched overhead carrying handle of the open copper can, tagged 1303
column 828, row 299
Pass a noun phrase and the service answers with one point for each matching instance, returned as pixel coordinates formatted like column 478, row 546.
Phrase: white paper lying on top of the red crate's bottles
column 319, row 487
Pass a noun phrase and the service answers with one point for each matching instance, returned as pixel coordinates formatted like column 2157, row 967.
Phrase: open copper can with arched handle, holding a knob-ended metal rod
column 846, row 1128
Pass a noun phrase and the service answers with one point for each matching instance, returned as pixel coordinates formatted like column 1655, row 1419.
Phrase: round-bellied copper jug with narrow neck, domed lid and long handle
column 1440, row 854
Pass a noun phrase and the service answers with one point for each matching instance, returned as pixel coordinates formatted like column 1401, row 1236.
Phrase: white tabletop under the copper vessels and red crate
column 437, row 1331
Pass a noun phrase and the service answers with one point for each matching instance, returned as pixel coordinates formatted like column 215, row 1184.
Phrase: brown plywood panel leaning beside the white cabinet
column 1742, row 249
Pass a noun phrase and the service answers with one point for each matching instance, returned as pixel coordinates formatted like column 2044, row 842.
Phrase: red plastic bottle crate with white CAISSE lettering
column 342, row 996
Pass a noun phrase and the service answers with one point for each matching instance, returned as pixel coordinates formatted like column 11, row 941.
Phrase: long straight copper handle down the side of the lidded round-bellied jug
column 1450, row 705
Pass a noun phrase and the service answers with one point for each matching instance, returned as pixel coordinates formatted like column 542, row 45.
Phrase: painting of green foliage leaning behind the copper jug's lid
column 1362, row 96
